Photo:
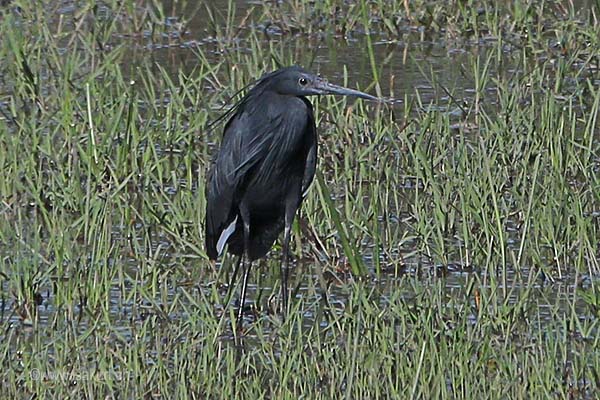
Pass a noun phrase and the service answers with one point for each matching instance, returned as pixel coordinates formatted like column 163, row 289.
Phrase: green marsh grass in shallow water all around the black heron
column 449, row 248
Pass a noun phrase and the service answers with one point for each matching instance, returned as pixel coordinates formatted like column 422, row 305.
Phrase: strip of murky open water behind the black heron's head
column 409, row 62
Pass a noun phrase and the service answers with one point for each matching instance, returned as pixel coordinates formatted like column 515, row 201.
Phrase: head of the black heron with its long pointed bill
column 295, row 81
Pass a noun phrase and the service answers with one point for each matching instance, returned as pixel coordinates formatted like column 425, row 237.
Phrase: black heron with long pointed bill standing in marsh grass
column 263, row 169
